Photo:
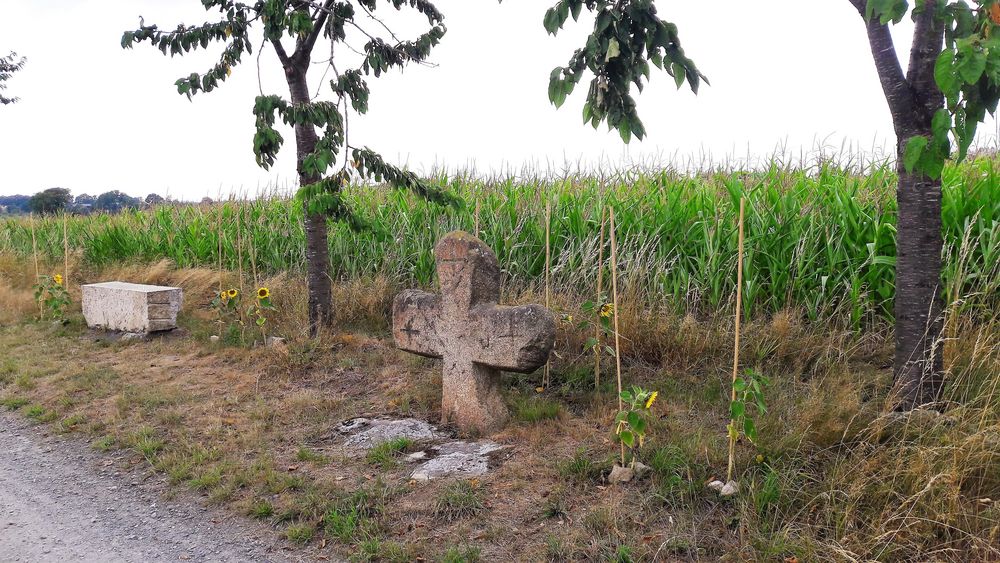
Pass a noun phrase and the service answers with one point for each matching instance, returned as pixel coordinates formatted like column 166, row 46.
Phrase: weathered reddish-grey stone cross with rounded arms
column 476, row 337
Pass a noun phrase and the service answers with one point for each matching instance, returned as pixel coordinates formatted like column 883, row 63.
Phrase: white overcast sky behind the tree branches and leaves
column 789, row 75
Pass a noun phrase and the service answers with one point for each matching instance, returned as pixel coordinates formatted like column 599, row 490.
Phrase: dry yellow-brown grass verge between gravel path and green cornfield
column 840, row 477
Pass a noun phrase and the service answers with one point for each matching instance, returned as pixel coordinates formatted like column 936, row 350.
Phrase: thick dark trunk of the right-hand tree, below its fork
column 918, row 370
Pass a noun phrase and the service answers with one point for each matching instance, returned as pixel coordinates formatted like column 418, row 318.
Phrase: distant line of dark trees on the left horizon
column 57, row 200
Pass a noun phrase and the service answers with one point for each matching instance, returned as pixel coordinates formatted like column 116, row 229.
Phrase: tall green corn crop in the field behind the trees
column 821, row 240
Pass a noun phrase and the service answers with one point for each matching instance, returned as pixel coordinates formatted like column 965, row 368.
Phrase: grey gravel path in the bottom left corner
column 60, row 501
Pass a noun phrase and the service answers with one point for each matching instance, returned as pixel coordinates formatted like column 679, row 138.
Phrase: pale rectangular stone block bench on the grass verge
column 131, row 307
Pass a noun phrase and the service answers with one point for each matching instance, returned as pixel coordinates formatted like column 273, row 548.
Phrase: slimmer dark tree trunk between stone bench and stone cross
column 317, row 246
